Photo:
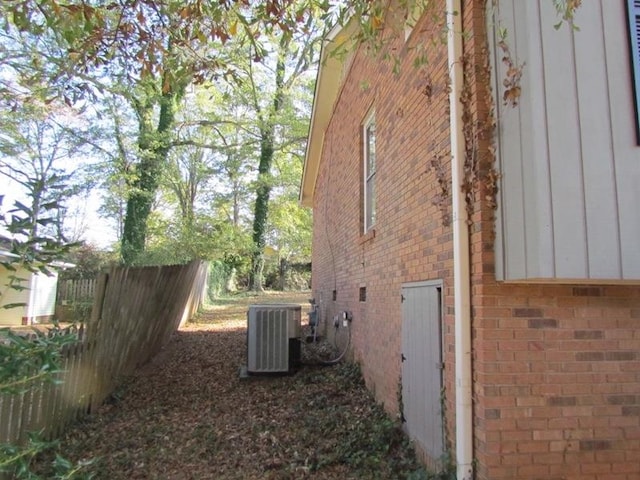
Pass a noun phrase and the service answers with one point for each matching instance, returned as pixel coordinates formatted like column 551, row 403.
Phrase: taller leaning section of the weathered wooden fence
column 135, row 312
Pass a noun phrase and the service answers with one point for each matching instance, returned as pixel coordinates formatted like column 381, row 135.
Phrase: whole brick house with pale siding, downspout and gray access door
column 478, row 215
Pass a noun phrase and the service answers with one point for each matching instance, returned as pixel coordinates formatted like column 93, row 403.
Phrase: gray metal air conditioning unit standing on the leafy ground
column 273, row 338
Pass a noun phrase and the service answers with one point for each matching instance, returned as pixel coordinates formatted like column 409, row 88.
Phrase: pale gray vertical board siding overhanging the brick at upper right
column 569, row 200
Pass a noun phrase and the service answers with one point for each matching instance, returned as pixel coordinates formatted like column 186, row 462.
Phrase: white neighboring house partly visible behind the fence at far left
column 38, row 299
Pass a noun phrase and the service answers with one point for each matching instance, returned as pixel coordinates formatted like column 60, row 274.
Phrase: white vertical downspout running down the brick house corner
column 461, row 275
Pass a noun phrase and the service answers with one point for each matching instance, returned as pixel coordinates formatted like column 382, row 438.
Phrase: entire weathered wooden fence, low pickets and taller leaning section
column 135, row 312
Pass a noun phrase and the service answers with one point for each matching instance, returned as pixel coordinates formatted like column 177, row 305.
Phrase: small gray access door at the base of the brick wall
column 422, row 365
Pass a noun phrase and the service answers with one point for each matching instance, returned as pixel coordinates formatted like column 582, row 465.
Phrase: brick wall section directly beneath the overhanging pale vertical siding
column 557, row 372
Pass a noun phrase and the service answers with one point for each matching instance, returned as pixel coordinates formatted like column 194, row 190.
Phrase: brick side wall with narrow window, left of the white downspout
column 410, row 242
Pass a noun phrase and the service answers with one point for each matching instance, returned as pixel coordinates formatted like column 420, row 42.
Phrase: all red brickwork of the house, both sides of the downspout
column 556, row 367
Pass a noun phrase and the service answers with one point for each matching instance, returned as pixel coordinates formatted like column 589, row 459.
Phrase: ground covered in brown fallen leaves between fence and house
column 189, row 415
